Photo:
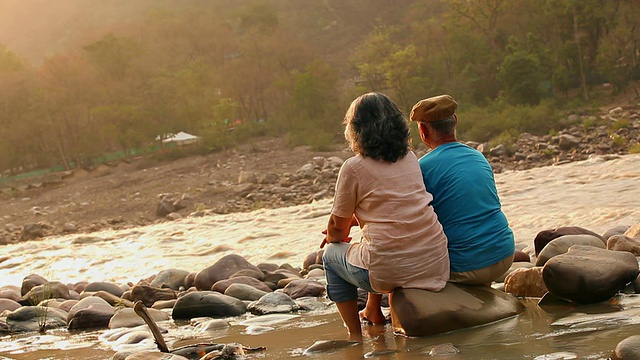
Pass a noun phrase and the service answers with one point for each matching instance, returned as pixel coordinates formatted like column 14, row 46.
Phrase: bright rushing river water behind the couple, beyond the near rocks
column 597, row 194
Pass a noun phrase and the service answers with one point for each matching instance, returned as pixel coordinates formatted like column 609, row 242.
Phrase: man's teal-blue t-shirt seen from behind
column 467, row 204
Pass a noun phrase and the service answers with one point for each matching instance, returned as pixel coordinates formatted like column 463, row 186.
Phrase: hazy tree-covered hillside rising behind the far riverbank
column 83, row 79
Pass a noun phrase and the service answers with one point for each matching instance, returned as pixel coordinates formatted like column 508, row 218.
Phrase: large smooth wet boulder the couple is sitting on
column 417, row 312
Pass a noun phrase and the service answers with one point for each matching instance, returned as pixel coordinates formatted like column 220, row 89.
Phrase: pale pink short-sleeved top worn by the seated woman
column 403, row 244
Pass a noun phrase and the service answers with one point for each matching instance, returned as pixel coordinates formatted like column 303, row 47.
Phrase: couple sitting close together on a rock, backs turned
column 424, row 222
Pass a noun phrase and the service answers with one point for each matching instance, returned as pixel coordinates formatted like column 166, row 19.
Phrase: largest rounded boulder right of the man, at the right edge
column 587, row 274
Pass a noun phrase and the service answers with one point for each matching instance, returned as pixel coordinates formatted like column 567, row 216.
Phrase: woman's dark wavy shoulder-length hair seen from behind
column 376, row 128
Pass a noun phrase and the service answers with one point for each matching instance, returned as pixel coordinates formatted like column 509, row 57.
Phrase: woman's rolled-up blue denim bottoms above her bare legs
column 343, row 279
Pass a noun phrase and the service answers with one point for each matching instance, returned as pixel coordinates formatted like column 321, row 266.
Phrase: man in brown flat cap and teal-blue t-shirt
column 481, row 244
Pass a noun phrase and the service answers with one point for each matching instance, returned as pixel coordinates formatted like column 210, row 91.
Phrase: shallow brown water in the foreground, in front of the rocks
column 534, row 334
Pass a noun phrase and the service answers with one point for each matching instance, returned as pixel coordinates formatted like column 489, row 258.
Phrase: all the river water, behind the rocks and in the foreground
column 597, row 194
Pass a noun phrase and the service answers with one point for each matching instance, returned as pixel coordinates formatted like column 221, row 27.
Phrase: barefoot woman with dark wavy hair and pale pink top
column 381, row 190
